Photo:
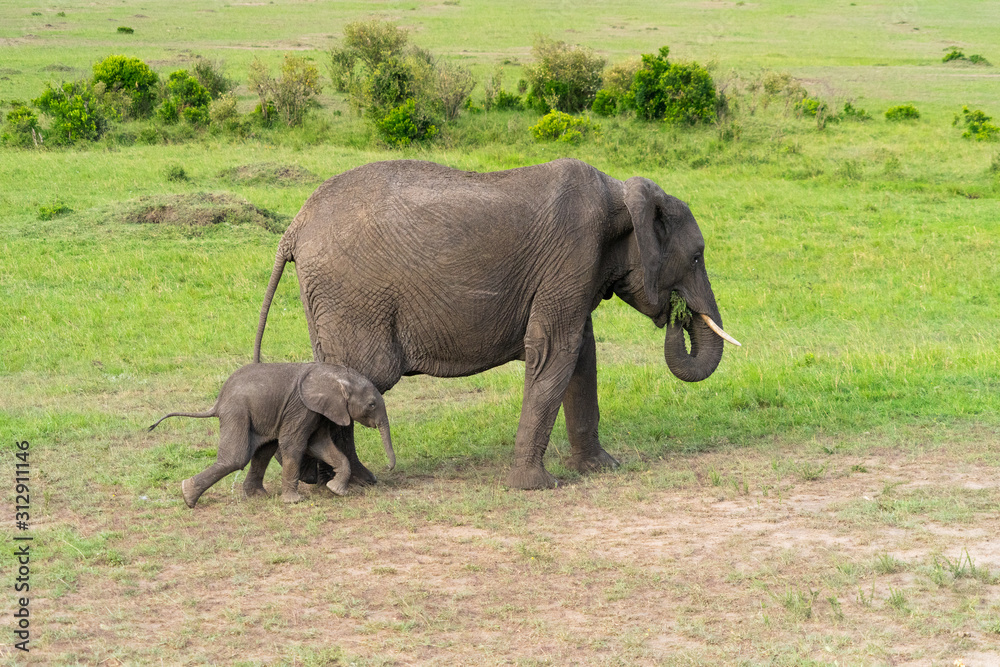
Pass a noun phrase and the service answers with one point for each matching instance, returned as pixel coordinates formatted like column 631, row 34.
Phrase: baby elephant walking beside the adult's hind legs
column 267, row 407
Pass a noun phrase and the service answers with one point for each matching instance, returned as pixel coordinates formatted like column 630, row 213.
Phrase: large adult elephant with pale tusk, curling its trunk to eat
column 409, row 267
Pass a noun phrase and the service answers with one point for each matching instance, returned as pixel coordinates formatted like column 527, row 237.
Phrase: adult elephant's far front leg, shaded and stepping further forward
column 582, row 412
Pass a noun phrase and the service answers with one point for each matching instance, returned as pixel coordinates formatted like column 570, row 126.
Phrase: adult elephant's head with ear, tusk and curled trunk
column 670, row 252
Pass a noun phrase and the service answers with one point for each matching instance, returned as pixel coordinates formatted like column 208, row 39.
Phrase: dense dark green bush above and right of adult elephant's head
column 674, row 92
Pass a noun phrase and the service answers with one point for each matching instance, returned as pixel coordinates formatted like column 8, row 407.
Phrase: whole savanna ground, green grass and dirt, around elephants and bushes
column 828, row 496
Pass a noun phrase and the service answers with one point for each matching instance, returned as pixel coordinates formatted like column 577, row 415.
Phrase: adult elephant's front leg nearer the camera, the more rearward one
column 548, row 368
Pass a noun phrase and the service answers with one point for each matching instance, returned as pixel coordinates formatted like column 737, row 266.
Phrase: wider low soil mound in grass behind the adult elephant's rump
column 201, row 210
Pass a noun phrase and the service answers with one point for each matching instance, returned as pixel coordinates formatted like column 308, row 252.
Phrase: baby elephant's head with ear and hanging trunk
column 344, row 396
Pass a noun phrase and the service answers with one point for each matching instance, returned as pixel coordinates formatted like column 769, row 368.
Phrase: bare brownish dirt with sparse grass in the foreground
column 742, row 557
